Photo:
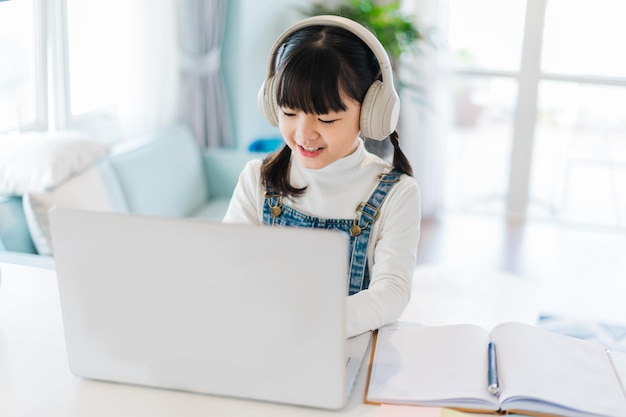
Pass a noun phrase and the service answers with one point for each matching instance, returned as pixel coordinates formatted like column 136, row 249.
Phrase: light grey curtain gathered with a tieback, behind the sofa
column 203, row 100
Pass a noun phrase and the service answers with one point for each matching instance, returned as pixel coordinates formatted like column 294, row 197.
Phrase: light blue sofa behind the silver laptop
column 163, row 174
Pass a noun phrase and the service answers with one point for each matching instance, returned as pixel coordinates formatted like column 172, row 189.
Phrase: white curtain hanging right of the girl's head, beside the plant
column 424, row 119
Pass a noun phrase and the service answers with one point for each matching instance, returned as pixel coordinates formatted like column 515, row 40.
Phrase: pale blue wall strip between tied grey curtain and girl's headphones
column 251, row 29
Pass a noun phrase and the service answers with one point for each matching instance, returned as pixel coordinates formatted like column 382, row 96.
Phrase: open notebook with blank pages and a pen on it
column 516, row 368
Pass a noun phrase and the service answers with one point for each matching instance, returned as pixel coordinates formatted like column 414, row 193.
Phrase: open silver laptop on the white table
column 222, row 309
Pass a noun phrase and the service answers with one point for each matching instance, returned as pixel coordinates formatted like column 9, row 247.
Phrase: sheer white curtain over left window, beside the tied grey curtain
column 122, row 66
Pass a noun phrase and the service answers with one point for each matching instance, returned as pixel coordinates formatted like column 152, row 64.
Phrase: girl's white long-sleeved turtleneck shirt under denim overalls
column 334, row 192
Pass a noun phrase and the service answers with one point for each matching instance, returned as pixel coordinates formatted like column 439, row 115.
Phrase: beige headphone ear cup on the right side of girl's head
column 379, row 111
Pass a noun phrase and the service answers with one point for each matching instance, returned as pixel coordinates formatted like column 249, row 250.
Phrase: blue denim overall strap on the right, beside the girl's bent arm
column 366, row 214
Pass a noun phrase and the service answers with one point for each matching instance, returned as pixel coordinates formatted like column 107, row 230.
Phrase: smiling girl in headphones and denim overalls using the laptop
column 329, row 82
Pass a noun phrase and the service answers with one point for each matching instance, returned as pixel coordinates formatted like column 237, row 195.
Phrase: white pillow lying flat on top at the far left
column 37, row 162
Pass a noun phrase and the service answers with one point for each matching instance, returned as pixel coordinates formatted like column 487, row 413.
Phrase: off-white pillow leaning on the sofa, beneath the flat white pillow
column 85, row 191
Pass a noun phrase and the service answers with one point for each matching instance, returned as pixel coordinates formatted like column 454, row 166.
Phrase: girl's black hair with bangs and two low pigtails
column 313, row 67
